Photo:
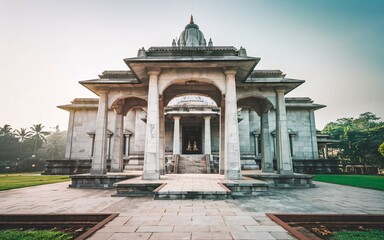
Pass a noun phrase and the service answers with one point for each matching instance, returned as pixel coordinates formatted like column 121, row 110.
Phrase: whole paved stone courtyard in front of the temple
column 144, row 218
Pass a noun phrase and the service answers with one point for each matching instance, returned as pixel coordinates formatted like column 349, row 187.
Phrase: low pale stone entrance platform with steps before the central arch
column 190, row 186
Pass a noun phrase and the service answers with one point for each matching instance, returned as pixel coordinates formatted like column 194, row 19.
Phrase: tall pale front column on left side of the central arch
column 151, row 168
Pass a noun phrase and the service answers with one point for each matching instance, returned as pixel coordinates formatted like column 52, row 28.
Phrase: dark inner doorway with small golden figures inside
column 192, row 141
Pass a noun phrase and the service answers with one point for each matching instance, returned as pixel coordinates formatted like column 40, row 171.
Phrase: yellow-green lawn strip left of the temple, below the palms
column 20, row 180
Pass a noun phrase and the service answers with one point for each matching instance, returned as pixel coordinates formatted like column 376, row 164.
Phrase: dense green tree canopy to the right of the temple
column 359, row 138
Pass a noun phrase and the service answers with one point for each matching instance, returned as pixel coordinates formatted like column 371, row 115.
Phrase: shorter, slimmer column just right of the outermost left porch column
column 118, row 143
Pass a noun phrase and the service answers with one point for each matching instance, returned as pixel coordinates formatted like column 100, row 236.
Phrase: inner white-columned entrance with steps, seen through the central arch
column 192, row 130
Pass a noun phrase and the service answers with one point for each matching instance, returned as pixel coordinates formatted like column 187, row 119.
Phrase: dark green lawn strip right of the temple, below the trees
column 363, row 181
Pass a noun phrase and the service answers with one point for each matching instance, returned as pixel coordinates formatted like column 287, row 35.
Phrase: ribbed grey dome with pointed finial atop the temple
column 191, row 36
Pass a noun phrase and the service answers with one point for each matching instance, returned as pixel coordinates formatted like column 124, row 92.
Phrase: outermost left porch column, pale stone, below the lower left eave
column 99, row 160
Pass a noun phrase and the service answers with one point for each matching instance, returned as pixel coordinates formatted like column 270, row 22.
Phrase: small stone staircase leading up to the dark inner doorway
column 192, row 164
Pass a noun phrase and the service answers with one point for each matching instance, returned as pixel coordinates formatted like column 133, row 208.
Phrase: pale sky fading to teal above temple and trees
column 48, row 46
